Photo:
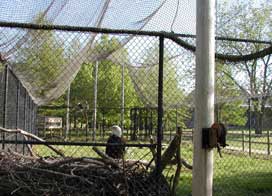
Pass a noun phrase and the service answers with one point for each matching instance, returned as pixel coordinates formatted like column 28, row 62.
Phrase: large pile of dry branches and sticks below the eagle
column 26, row 175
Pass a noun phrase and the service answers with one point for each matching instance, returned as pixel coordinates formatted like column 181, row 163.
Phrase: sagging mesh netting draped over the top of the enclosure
column 65, row 52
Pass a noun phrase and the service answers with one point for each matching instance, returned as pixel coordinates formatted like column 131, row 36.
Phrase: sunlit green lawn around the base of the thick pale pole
column 234, row 175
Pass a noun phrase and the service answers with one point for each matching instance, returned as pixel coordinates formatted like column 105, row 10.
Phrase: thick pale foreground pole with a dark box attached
column 204, row 101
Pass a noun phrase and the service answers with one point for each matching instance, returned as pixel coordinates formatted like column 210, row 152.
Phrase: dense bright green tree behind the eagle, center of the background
column 108, row 85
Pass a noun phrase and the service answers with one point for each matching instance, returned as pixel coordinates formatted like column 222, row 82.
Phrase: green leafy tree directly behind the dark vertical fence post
column 145, row 80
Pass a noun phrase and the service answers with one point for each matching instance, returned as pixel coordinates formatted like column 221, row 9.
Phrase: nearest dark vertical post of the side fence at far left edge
column 5, row 104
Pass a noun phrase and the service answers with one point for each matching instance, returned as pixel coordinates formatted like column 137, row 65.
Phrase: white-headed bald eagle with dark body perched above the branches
column 115, row 144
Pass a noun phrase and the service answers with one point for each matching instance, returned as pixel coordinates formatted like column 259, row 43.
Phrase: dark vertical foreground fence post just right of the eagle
column 160, row 104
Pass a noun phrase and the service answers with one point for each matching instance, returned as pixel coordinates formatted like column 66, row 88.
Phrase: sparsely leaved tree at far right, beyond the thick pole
column 249, row 20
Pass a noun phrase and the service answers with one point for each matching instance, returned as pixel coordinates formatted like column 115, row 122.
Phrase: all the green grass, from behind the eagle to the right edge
column 234, row 175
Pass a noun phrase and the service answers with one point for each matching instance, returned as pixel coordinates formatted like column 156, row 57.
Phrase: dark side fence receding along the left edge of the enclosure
column 18, row 111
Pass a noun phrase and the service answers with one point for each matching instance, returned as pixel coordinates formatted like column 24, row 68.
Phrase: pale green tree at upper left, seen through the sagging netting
column 40, row 60
